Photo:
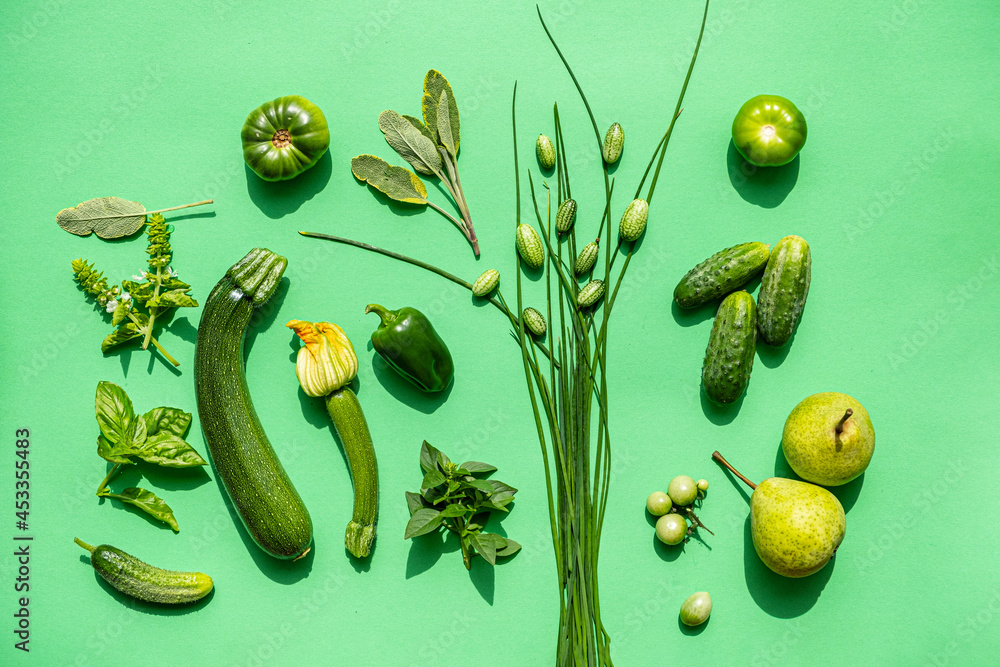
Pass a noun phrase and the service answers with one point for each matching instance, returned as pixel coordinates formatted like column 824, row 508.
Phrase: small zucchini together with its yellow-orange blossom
column 325, row 365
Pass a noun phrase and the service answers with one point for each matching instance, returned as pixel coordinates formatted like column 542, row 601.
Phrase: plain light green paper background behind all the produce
column 895, row 191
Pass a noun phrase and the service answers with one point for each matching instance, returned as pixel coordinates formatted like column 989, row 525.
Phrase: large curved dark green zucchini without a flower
column 264, row 497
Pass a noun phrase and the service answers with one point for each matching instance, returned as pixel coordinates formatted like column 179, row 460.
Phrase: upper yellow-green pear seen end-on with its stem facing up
column 828, row 439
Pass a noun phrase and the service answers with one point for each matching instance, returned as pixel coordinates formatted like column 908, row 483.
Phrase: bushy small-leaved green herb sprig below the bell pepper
column 454, row 497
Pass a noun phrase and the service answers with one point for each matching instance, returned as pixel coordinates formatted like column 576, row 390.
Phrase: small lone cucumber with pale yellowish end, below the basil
column 129, row 575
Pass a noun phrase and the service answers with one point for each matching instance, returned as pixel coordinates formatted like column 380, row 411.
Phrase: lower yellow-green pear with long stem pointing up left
column 796, row 526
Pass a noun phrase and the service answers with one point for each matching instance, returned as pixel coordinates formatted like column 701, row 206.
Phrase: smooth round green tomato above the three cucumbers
column 769, row 131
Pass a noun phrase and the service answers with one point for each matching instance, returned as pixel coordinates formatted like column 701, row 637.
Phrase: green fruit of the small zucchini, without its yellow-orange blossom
column 345, row 412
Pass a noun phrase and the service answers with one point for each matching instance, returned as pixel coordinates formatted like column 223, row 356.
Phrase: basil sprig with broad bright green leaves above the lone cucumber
column 155, row 437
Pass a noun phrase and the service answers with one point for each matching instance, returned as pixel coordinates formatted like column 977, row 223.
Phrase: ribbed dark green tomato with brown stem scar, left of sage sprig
column 284, row 137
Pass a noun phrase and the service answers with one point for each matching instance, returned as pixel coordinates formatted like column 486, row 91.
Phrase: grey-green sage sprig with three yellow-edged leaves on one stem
column 430, row 146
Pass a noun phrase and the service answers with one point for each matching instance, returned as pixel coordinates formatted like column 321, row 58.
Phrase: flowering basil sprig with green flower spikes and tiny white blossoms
column 157, row 288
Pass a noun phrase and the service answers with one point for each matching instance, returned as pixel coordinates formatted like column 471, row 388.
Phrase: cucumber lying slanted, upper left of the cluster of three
column 720, row 274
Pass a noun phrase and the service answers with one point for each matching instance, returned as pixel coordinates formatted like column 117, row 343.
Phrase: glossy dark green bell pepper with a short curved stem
column 409, row 344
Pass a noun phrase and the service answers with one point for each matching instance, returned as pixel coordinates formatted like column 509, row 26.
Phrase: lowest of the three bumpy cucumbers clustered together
column 731, row 346
